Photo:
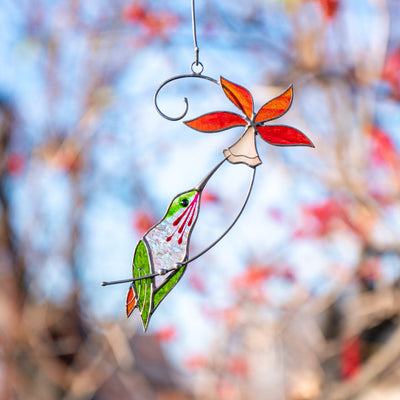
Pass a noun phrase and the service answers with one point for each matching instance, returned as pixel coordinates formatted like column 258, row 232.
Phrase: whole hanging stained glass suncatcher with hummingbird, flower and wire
column 162, row 255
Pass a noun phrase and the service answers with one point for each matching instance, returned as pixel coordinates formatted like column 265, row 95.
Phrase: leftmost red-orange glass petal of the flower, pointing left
column 215, row 122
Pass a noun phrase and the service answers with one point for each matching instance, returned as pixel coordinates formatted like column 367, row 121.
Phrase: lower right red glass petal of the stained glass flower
column 283, row 135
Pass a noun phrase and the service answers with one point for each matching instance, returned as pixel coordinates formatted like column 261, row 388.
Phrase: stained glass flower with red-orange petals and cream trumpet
column 244, row 150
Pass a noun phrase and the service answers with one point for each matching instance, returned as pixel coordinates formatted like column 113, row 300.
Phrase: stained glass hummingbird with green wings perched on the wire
column 160, row 257
